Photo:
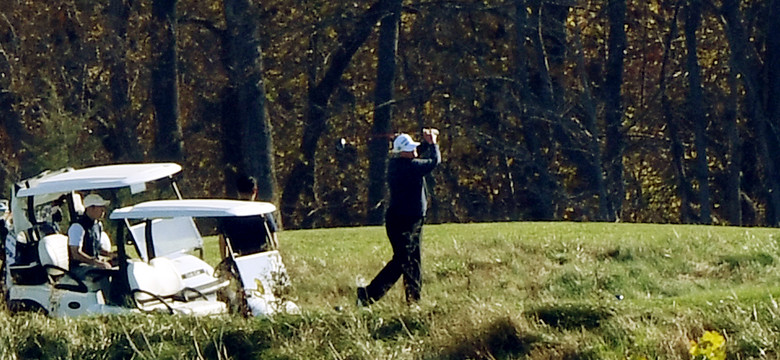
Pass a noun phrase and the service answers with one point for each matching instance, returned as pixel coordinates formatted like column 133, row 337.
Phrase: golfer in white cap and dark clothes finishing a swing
column 405, row 216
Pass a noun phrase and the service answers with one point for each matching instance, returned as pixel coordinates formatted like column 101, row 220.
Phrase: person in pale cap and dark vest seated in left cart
column 88, row 245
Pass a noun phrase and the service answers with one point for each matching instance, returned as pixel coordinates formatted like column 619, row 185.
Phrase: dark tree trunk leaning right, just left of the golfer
column 302, row 175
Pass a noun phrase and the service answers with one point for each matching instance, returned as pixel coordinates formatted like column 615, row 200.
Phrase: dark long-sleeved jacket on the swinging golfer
column 405, row 178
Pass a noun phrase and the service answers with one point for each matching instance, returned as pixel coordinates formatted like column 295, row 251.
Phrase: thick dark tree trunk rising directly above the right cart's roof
column 246, row 76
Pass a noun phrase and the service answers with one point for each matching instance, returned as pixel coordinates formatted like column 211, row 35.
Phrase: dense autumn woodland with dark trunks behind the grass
column 629, row 110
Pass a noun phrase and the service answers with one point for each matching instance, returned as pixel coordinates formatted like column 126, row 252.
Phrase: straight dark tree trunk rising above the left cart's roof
column 165, row 91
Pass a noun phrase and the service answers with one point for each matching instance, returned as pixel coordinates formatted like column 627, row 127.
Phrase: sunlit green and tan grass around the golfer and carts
column 491, row 291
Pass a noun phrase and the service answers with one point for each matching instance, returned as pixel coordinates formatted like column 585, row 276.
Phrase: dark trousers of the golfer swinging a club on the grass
column 405, row 235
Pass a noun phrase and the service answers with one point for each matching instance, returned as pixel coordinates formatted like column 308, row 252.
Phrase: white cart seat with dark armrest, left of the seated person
column 53, row 255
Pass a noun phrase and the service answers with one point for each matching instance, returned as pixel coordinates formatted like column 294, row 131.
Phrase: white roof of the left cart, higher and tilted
column 100, row 177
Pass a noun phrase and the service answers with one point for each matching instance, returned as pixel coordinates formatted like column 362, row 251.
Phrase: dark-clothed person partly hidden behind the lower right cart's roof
column 248, row 234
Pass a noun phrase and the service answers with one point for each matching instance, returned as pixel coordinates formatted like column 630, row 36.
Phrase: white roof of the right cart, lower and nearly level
column 193, row 208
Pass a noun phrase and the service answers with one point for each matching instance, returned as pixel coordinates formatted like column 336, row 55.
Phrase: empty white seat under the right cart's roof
column 158, row 286
